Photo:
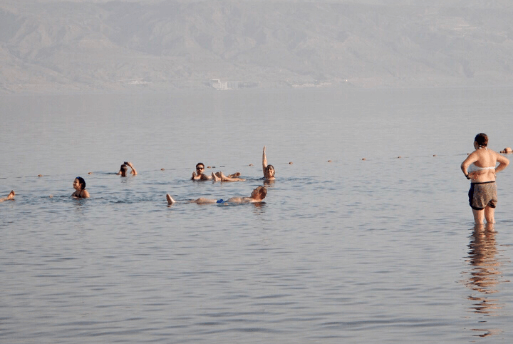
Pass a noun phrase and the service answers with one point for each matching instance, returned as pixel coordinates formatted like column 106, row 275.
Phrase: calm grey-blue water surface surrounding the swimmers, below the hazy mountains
column 380, row 250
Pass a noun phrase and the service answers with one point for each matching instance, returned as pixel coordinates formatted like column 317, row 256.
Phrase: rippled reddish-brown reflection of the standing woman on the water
column 485, row 275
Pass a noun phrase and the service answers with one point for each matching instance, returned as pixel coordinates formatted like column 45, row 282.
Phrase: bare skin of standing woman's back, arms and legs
column 482, row 157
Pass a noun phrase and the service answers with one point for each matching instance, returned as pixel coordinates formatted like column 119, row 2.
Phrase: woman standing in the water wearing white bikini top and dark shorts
column 480, row 168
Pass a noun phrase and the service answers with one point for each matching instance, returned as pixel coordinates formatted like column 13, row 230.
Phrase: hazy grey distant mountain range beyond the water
column 116, row 46
